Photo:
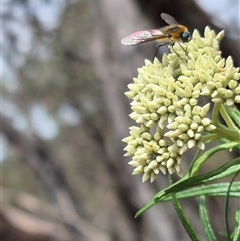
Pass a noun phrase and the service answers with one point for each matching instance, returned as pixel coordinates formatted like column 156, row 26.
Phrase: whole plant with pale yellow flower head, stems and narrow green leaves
column 171, row 119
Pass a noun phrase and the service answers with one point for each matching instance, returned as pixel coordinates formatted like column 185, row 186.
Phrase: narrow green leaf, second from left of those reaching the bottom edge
column 205, row 220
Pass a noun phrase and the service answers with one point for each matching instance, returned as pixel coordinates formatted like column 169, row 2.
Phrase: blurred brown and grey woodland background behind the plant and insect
column 64, row 114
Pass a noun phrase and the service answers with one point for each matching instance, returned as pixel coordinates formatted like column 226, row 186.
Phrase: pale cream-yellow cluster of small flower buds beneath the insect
column 165, row 103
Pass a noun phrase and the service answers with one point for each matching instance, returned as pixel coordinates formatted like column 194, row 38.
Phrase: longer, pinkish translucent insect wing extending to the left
column 142, row 36
